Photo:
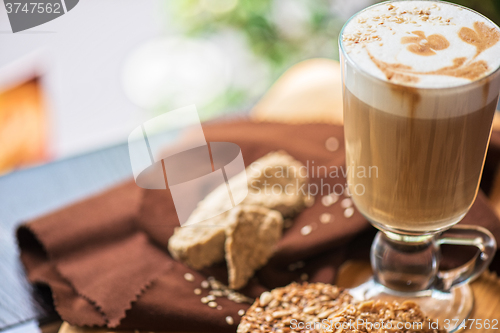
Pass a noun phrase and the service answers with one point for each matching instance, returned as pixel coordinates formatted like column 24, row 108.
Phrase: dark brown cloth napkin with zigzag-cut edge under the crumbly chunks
column 106, row 262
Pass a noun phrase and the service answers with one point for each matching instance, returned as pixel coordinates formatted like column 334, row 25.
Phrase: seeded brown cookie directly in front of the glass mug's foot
column 381, row 317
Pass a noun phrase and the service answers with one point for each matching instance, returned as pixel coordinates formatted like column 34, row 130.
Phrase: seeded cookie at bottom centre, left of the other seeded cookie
column 279, row 309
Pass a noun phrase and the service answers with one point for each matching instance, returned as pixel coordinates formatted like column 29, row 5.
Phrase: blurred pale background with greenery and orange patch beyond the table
column 85, row 80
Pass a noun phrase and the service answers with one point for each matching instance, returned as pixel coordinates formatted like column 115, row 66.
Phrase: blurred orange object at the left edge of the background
column 23, row 126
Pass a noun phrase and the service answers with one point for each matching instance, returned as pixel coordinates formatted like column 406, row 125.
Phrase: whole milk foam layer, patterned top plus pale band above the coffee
column 415, row 43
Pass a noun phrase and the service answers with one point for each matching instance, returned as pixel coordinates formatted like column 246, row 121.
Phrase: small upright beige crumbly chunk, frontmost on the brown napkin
column 250, row 241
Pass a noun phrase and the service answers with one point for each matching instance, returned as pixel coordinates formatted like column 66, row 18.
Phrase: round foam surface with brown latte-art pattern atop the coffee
column 423, row 44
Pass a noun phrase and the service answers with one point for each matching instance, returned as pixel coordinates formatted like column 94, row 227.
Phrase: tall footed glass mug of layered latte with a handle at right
column 422, row 150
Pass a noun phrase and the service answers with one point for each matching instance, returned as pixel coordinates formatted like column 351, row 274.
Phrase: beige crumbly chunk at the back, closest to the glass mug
column 278, row 181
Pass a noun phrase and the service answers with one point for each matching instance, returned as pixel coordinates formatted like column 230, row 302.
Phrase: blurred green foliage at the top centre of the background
column 257, row 20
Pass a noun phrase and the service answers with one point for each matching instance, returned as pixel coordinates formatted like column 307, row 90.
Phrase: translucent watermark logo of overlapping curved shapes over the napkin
column 170, row 152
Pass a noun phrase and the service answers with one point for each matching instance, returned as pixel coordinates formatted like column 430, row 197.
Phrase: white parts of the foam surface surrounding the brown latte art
column 380, row 25
